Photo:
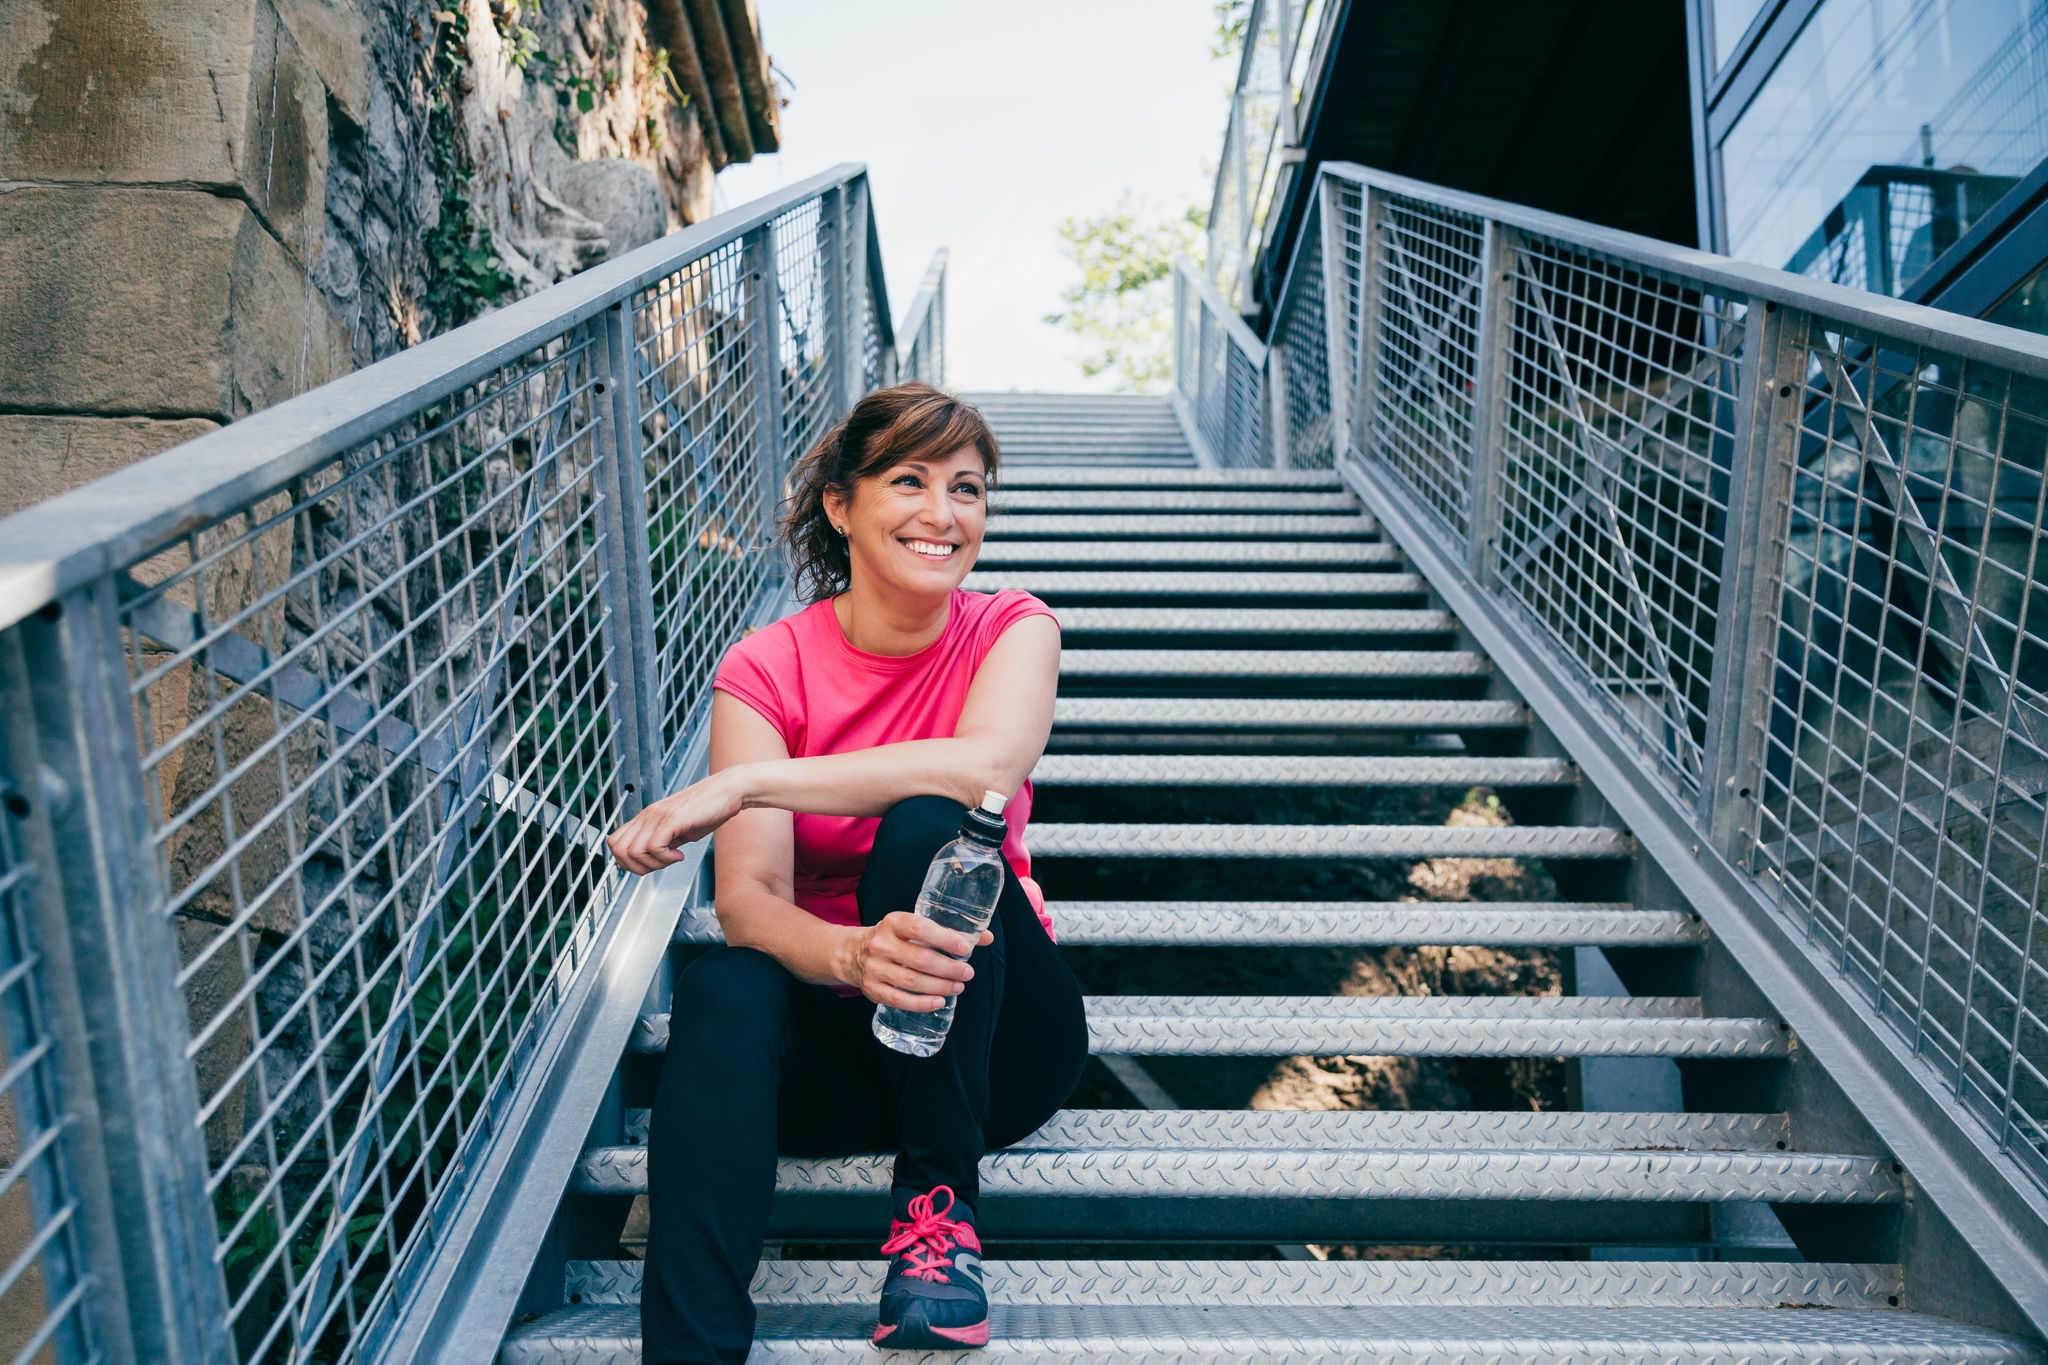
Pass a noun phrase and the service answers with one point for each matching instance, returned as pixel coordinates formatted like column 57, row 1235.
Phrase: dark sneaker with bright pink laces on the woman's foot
column 933, row 1298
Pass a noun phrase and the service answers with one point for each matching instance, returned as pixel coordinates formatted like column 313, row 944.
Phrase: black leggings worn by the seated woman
column 761, row 1065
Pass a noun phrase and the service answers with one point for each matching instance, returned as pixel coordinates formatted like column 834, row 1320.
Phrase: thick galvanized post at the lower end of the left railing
column 114, row 895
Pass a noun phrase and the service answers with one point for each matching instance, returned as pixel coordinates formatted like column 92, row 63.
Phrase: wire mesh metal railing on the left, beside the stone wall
column 345, row 699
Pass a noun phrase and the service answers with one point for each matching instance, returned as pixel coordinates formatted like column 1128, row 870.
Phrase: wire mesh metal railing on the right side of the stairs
column 1779, row 541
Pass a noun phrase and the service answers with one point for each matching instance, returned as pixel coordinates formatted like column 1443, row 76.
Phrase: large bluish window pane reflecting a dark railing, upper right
column 1887, row 130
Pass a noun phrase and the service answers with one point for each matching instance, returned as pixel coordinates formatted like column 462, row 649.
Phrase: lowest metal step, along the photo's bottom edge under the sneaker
column 1297, row 1335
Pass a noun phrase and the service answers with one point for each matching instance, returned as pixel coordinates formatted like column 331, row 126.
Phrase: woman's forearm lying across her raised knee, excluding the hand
column 871, row 781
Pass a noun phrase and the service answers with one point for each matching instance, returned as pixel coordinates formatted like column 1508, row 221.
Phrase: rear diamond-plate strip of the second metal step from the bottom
column 1560, row 1131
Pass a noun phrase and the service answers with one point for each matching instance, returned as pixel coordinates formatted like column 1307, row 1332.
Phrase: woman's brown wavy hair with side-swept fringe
column 884, row 431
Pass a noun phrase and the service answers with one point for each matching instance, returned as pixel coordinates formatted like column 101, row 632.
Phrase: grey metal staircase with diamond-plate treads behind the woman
column 1244, row 648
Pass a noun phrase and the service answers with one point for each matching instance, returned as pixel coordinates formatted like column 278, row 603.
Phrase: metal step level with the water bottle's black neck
column 1328, row 842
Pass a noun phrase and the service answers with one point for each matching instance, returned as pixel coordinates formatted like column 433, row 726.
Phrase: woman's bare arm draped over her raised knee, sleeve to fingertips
column 1002, row 732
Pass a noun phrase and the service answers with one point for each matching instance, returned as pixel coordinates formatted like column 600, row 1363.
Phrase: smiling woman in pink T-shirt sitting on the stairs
column 847, row 744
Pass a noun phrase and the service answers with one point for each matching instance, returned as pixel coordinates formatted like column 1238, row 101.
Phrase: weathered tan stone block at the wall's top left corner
column 167, row 93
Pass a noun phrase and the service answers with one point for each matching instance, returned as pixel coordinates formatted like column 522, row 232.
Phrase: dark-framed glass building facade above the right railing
column 1893, row 146
